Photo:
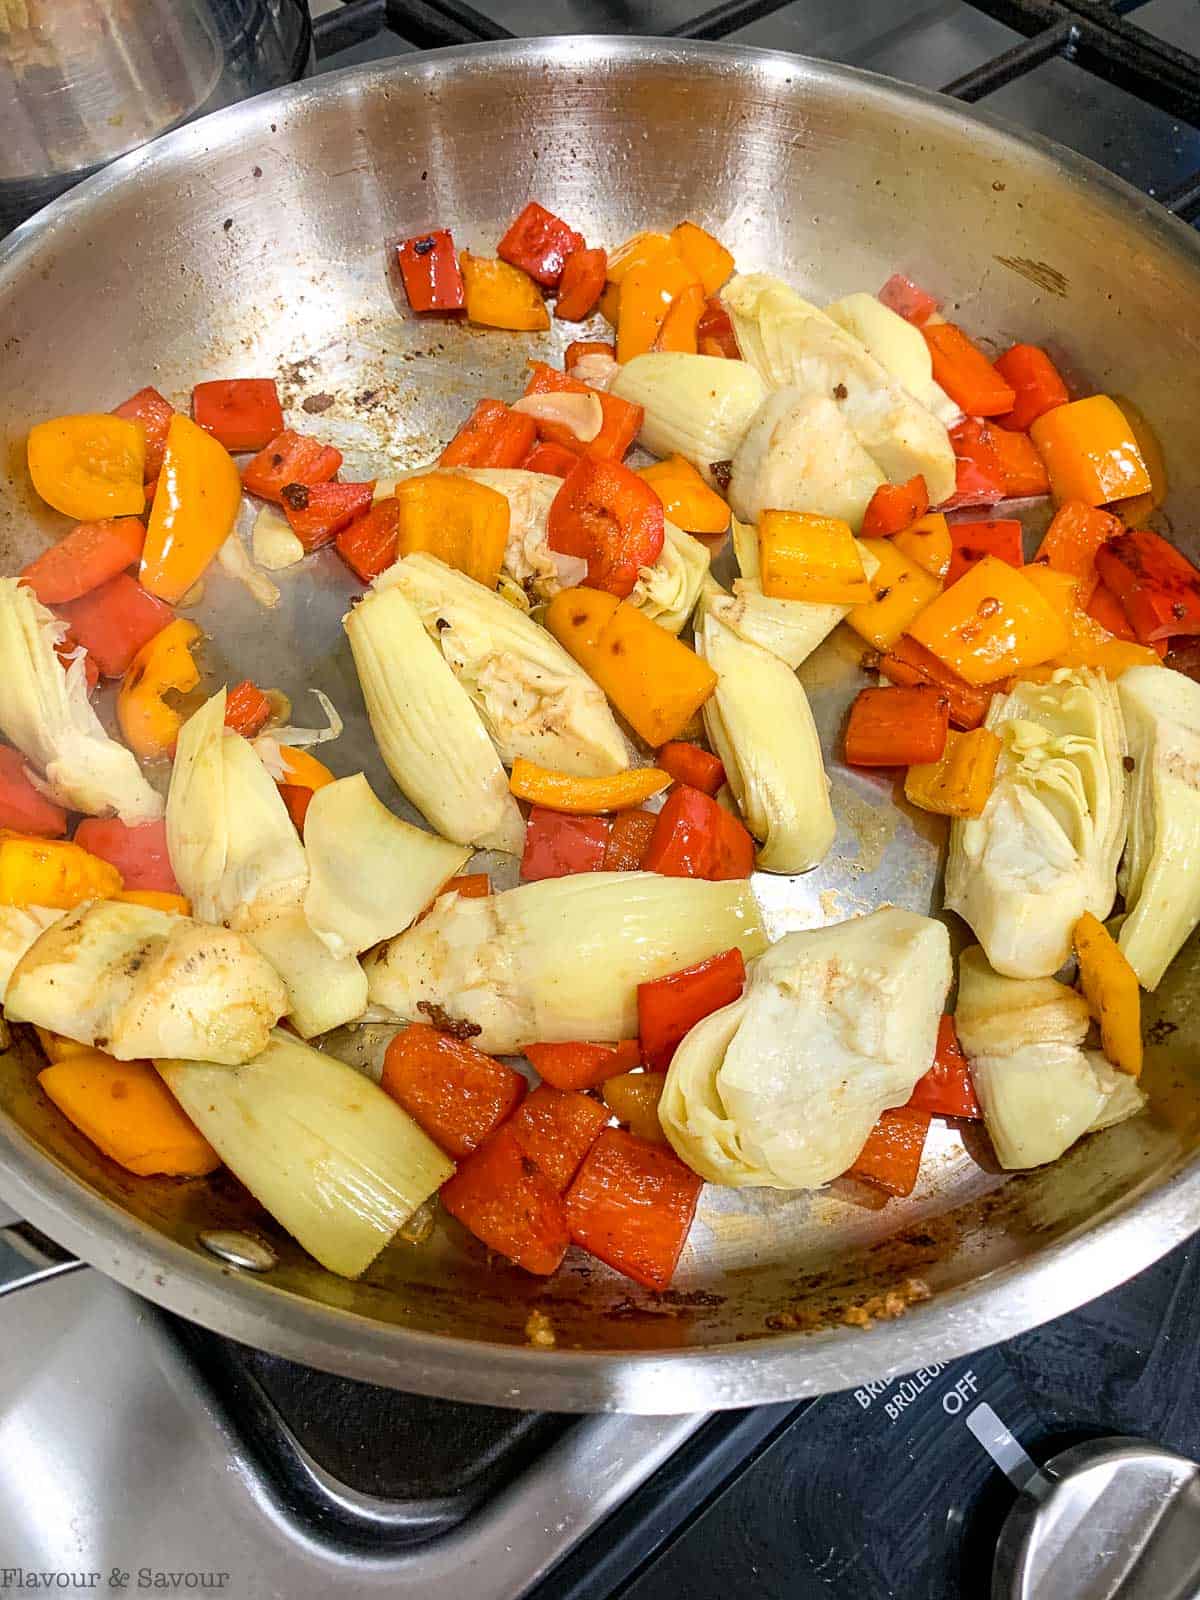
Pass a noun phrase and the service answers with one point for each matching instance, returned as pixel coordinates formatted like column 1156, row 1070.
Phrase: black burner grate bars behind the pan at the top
column 1092, row 34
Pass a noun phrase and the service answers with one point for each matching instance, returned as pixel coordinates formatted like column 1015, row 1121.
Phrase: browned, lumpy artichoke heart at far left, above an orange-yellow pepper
column 138, row 983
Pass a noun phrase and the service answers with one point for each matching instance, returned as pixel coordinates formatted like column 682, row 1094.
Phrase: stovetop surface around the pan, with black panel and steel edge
column 142, row 1455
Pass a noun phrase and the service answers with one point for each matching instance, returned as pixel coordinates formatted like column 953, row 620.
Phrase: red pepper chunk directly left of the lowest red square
column 510, row 1202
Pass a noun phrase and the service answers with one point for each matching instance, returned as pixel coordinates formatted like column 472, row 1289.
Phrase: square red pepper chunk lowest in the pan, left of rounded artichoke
column 631, row 1206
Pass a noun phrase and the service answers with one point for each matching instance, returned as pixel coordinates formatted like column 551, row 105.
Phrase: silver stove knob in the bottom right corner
column 1113, row 1519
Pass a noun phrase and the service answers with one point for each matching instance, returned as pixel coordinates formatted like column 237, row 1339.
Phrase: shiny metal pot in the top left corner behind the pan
column 86, row 81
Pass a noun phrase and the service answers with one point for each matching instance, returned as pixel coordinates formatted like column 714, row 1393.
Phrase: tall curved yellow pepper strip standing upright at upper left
column 194, row 511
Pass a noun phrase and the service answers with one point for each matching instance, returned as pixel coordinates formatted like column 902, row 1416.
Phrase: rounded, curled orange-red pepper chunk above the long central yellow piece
column 612, row 519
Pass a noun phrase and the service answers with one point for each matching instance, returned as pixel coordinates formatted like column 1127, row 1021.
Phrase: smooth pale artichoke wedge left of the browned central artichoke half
column 430, row 735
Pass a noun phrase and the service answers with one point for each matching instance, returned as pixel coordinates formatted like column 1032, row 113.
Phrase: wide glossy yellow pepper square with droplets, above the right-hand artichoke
column 991, row 623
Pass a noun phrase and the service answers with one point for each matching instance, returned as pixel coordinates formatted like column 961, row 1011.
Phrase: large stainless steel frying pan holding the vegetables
column 255, row 242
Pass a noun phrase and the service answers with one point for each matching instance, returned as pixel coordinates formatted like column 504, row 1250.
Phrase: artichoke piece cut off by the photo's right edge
column 1161, row 874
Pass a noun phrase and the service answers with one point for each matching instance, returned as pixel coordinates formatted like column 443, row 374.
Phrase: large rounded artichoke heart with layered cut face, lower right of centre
column 783, row 1089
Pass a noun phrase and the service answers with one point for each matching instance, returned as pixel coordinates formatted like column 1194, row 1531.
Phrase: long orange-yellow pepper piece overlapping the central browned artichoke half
column 655, row 682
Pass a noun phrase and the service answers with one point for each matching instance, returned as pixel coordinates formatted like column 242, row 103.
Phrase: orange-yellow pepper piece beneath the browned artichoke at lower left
column 130, row 1114
